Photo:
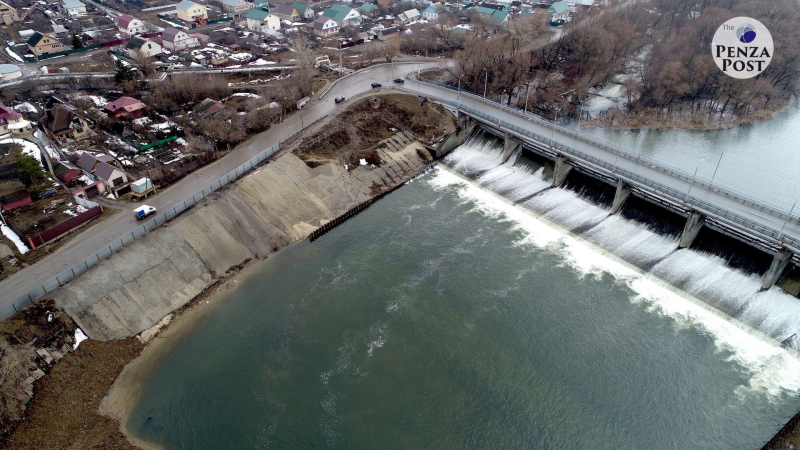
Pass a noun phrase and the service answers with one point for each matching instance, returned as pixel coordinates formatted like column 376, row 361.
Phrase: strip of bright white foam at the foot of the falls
column 771, row 368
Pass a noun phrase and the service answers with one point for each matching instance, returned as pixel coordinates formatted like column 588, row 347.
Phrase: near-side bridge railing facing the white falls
column 630, row 176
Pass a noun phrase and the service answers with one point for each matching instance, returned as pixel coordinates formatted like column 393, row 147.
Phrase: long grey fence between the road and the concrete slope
column 107, row 250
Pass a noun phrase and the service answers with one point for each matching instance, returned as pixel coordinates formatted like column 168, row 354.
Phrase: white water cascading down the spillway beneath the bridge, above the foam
column 729, row 290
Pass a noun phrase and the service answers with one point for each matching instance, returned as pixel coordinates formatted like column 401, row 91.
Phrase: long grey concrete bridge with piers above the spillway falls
column 703, row 204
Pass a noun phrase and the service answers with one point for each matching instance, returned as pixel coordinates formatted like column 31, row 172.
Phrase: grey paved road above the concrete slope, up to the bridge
column 119, row 225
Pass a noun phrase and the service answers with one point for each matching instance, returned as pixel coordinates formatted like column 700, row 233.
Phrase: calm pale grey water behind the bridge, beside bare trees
column 759, row 160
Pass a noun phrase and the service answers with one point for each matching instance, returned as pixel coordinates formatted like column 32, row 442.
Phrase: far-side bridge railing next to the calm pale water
column 618, row 150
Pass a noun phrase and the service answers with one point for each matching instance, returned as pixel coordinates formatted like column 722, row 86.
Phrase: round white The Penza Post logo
column 742, row 47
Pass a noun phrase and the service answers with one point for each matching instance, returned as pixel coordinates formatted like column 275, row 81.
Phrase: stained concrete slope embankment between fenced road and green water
column 280, row 203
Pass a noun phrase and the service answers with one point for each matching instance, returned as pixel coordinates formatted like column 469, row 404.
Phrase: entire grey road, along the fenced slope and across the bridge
column 114, row 228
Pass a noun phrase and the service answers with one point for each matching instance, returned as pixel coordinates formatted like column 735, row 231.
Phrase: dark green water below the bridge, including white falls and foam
column 483, row 312
